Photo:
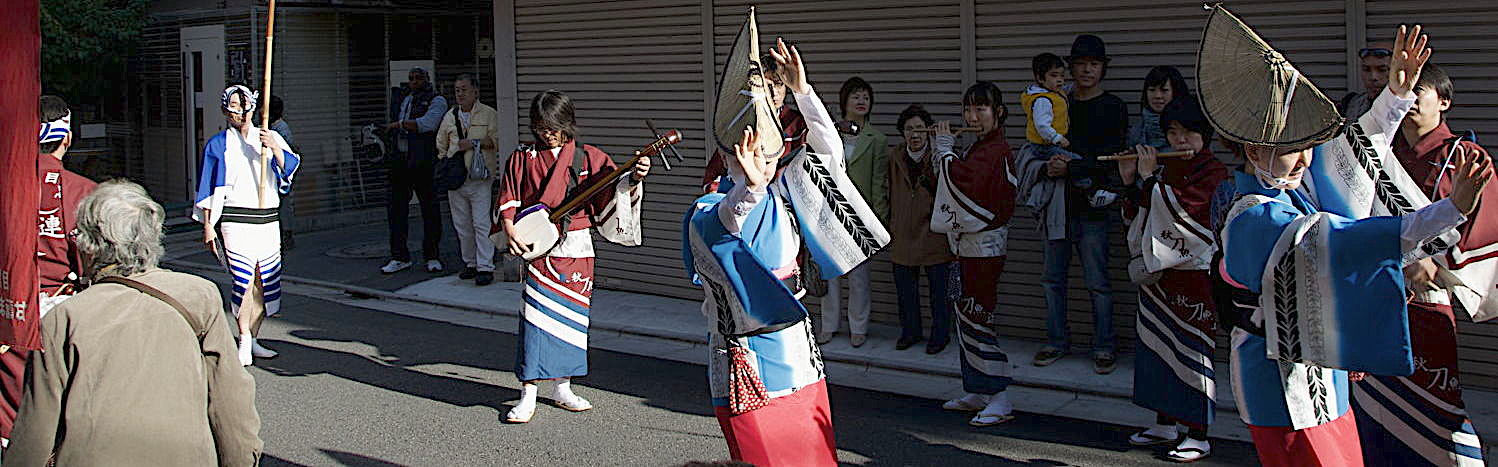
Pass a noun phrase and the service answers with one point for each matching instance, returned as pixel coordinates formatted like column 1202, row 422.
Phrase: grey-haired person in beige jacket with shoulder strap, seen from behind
column 140, row 369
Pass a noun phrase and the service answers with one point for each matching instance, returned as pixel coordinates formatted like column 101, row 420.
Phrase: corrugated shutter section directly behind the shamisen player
column 624, row 62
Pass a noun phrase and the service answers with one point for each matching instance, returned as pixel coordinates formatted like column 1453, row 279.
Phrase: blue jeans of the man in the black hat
column 1091, row 242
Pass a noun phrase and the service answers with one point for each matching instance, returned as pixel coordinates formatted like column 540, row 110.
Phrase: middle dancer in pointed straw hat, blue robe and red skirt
column 766, row 372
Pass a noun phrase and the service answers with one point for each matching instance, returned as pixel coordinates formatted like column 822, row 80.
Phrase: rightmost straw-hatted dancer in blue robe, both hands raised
column 1316, row 245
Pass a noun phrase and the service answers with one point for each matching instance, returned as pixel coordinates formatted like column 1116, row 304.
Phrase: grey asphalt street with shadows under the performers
column 359, row 387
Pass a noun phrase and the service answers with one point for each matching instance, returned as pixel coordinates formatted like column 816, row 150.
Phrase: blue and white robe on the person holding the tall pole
column 249, row 234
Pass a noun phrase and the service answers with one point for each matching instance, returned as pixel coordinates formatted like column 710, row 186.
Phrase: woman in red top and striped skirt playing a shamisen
column 560, row 287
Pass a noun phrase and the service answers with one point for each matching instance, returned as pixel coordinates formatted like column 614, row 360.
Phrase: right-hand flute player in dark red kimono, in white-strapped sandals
column 1169, row 212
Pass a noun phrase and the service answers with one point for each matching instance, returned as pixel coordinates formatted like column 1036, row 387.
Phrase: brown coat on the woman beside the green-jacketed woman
column 912, row 239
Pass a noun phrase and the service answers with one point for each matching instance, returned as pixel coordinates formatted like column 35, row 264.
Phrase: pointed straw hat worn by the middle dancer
column 744, row 95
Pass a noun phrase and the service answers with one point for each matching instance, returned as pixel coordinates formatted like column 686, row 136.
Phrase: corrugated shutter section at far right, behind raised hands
column 1464, row 47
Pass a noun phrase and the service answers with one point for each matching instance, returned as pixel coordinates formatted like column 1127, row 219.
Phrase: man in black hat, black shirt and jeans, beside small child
column 1099, row 128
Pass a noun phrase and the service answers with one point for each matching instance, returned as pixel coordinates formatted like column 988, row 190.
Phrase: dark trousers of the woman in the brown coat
column 943, row 285
